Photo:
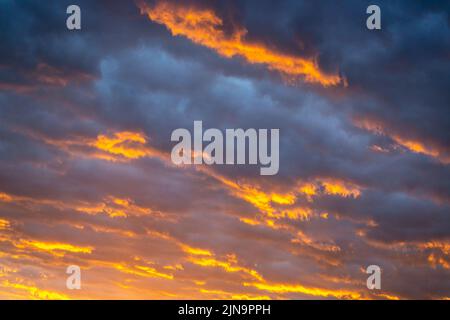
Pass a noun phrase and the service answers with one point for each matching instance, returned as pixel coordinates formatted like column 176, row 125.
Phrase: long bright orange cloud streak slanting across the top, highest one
column 204, row 27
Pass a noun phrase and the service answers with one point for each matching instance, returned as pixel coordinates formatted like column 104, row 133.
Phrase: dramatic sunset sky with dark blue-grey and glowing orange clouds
column 86, row 176
